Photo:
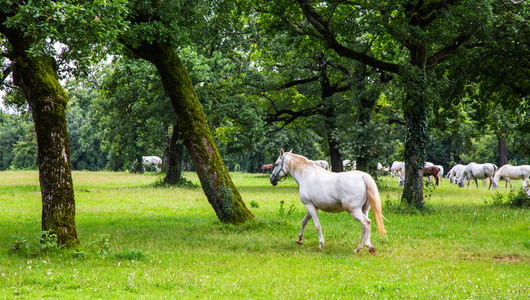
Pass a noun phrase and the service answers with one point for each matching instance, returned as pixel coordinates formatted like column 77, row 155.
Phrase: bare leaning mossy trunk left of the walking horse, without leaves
column 215, row 180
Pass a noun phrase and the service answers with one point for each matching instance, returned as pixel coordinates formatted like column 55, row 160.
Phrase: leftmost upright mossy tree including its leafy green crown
column 27, row 30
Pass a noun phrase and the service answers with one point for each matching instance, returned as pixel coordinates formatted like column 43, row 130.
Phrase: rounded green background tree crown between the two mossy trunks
column 132, row 93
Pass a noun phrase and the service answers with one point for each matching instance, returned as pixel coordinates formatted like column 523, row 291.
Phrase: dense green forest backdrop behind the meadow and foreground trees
column 262, row 87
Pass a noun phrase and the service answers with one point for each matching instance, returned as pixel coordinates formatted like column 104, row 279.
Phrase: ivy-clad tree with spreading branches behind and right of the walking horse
column 411, row 34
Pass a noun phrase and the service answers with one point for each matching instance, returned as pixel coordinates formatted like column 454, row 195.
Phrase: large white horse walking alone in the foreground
column 354, row 192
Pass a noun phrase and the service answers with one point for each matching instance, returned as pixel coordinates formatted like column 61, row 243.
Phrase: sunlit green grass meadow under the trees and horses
column 143, row 241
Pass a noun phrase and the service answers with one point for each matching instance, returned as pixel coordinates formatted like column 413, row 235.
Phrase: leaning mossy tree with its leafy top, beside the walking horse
column 151, row 37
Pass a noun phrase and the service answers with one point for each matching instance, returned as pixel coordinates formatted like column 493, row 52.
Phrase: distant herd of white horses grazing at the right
column 460, row 174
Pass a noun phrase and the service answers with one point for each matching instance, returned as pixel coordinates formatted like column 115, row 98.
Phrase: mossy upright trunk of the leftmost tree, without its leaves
column 37, row 78
